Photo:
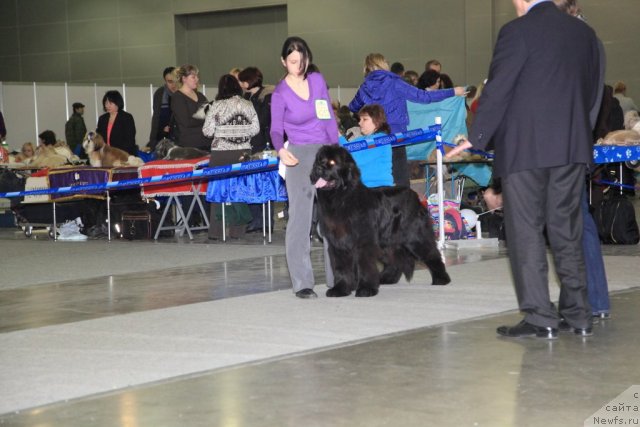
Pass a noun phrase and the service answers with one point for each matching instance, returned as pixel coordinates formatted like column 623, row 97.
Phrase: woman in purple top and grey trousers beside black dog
column 301, row 109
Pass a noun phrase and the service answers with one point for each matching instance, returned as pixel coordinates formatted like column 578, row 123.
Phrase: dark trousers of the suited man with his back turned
column 534, row 199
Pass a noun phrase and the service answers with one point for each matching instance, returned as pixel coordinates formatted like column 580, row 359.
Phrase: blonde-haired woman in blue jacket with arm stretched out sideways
column 383, row 87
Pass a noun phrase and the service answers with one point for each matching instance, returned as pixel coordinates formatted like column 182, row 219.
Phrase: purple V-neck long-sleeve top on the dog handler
column 297, row 118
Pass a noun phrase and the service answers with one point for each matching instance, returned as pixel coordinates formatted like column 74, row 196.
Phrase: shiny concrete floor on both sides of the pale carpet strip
column 416, row 378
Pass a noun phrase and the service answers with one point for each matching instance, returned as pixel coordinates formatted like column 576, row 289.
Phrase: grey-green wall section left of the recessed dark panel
column 85, row 40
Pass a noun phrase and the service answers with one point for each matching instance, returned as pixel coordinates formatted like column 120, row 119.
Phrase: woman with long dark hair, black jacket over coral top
column 116, row 126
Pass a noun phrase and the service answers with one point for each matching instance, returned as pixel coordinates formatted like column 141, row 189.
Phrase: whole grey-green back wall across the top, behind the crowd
column 131, row 41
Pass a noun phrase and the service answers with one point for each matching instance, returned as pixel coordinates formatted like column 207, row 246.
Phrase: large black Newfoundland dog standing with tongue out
column 366, row 227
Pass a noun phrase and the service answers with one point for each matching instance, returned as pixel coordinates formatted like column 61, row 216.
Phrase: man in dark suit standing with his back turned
column 535, row 108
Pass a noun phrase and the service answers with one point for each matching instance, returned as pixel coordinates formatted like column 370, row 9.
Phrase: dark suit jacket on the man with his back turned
column 543, row 84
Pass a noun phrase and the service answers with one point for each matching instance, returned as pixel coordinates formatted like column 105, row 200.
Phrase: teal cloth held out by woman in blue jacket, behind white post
column 453, row 113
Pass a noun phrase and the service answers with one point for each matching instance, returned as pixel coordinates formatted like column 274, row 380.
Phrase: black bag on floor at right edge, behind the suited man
column 616, row 221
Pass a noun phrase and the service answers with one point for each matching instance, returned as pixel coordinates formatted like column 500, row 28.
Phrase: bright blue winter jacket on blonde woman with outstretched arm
column 392, row 92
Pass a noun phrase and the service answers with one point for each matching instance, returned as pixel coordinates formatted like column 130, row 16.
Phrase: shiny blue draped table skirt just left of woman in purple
column 252, row 188
